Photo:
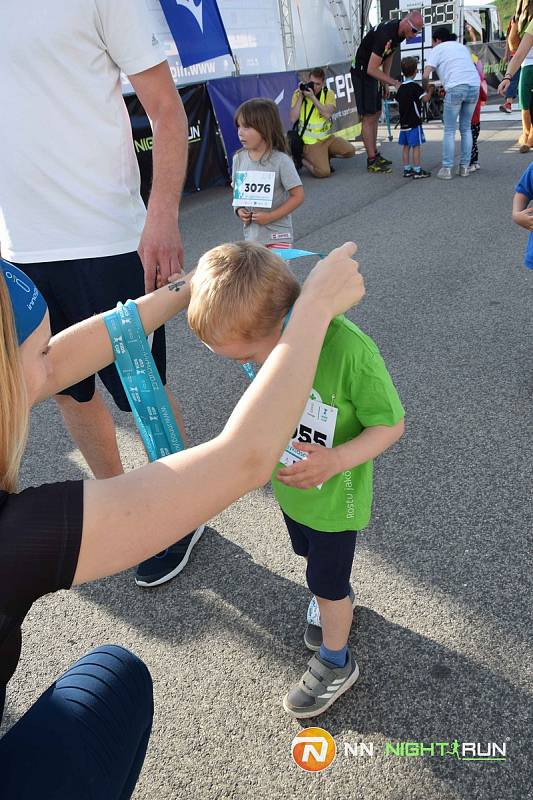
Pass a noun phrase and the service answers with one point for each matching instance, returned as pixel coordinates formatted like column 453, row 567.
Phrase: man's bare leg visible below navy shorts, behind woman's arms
column 92, row 429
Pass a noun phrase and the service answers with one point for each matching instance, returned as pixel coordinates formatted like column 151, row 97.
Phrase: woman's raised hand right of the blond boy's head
column 335, row 282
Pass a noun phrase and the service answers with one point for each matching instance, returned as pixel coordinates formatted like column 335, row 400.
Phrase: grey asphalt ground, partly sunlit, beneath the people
column 441, row 574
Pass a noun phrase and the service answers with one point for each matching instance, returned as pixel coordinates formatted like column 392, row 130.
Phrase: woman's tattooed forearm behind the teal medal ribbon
column 85, row 348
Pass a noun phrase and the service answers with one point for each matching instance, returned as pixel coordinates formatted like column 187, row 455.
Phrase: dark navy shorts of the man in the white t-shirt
column 81, row 288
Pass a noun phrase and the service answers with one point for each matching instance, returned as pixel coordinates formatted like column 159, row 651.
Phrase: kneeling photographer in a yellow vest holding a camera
column 312, row 107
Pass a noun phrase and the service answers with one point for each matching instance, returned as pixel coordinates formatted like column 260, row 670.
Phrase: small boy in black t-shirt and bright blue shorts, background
column 410, row 97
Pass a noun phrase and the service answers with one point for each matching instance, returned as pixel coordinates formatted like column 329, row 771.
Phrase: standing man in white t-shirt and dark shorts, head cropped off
column 71, row 213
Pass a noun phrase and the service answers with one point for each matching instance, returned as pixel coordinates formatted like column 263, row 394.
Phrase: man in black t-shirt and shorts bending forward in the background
column 371, row 71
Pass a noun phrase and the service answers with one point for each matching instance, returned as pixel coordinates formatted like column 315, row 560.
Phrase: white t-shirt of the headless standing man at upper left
column 69, row 179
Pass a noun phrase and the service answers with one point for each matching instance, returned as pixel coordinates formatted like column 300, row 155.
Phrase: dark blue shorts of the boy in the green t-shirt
column 329, row 558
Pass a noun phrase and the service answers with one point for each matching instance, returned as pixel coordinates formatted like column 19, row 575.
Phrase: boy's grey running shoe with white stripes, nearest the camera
column 319, row 687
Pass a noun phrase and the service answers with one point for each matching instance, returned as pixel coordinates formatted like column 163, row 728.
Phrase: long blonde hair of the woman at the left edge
column 14, row 413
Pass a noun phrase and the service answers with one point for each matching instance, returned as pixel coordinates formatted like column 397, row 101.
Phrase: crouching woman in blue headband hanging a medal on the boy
column 86, row 736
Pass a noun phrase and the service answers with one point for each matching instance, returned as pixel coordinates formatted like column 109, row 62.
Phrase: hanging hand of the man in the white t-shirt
column 160, row 250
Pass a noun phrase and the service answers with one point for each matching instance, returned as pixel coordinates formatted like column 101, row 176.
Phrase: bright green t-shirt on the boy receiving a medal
column 351, row 376
